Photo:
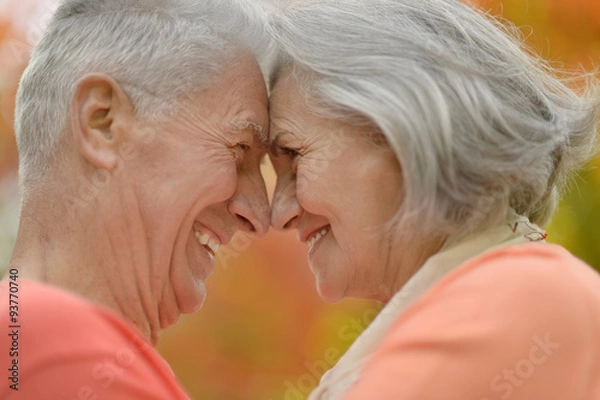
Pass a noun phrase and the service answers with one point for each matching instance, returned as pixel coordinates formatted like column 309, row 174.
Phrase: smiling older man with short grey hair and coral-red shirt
column 141, row 125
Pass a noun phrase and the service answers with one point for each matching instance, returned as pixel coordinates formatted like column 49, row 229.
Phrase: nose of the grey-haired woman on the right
column 285, row 211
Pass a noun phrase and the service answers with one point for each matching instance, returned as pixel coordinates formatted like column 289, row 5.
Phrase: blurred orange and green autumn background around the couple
column 263, row 332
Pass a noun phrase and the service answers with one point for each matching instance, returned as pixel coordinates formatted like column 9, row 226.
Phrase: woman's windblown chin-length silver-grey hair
column 479, row 124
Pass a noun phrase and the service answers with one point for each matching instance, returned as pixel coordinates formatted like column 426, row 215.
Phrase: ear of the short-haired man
column 99, row 110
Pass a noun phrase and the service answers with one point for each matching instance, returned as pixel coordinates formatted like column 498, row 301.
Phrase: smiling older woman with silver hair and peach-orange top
column 418, row 149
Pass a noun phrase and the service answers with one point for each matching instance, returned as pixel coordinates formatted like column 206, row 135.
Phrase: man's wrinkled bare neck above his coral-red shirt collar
column 59, row 253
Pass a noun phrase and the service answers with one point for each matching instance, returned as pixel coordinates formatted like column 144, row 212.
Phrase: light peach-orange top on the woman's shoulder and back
column 519, row 323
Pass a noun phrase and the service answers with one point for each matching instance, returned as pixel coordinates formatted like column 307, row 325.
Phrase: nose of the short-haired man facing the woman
column 250, row 204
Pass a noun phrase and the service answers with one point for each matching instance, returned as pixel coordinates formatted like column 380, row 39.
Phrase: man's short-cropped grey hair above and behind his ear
column 160, row 51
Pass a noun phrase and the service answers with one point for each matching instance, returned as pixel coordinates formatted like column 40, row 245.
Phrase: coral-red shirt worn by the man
column 70, row 349
